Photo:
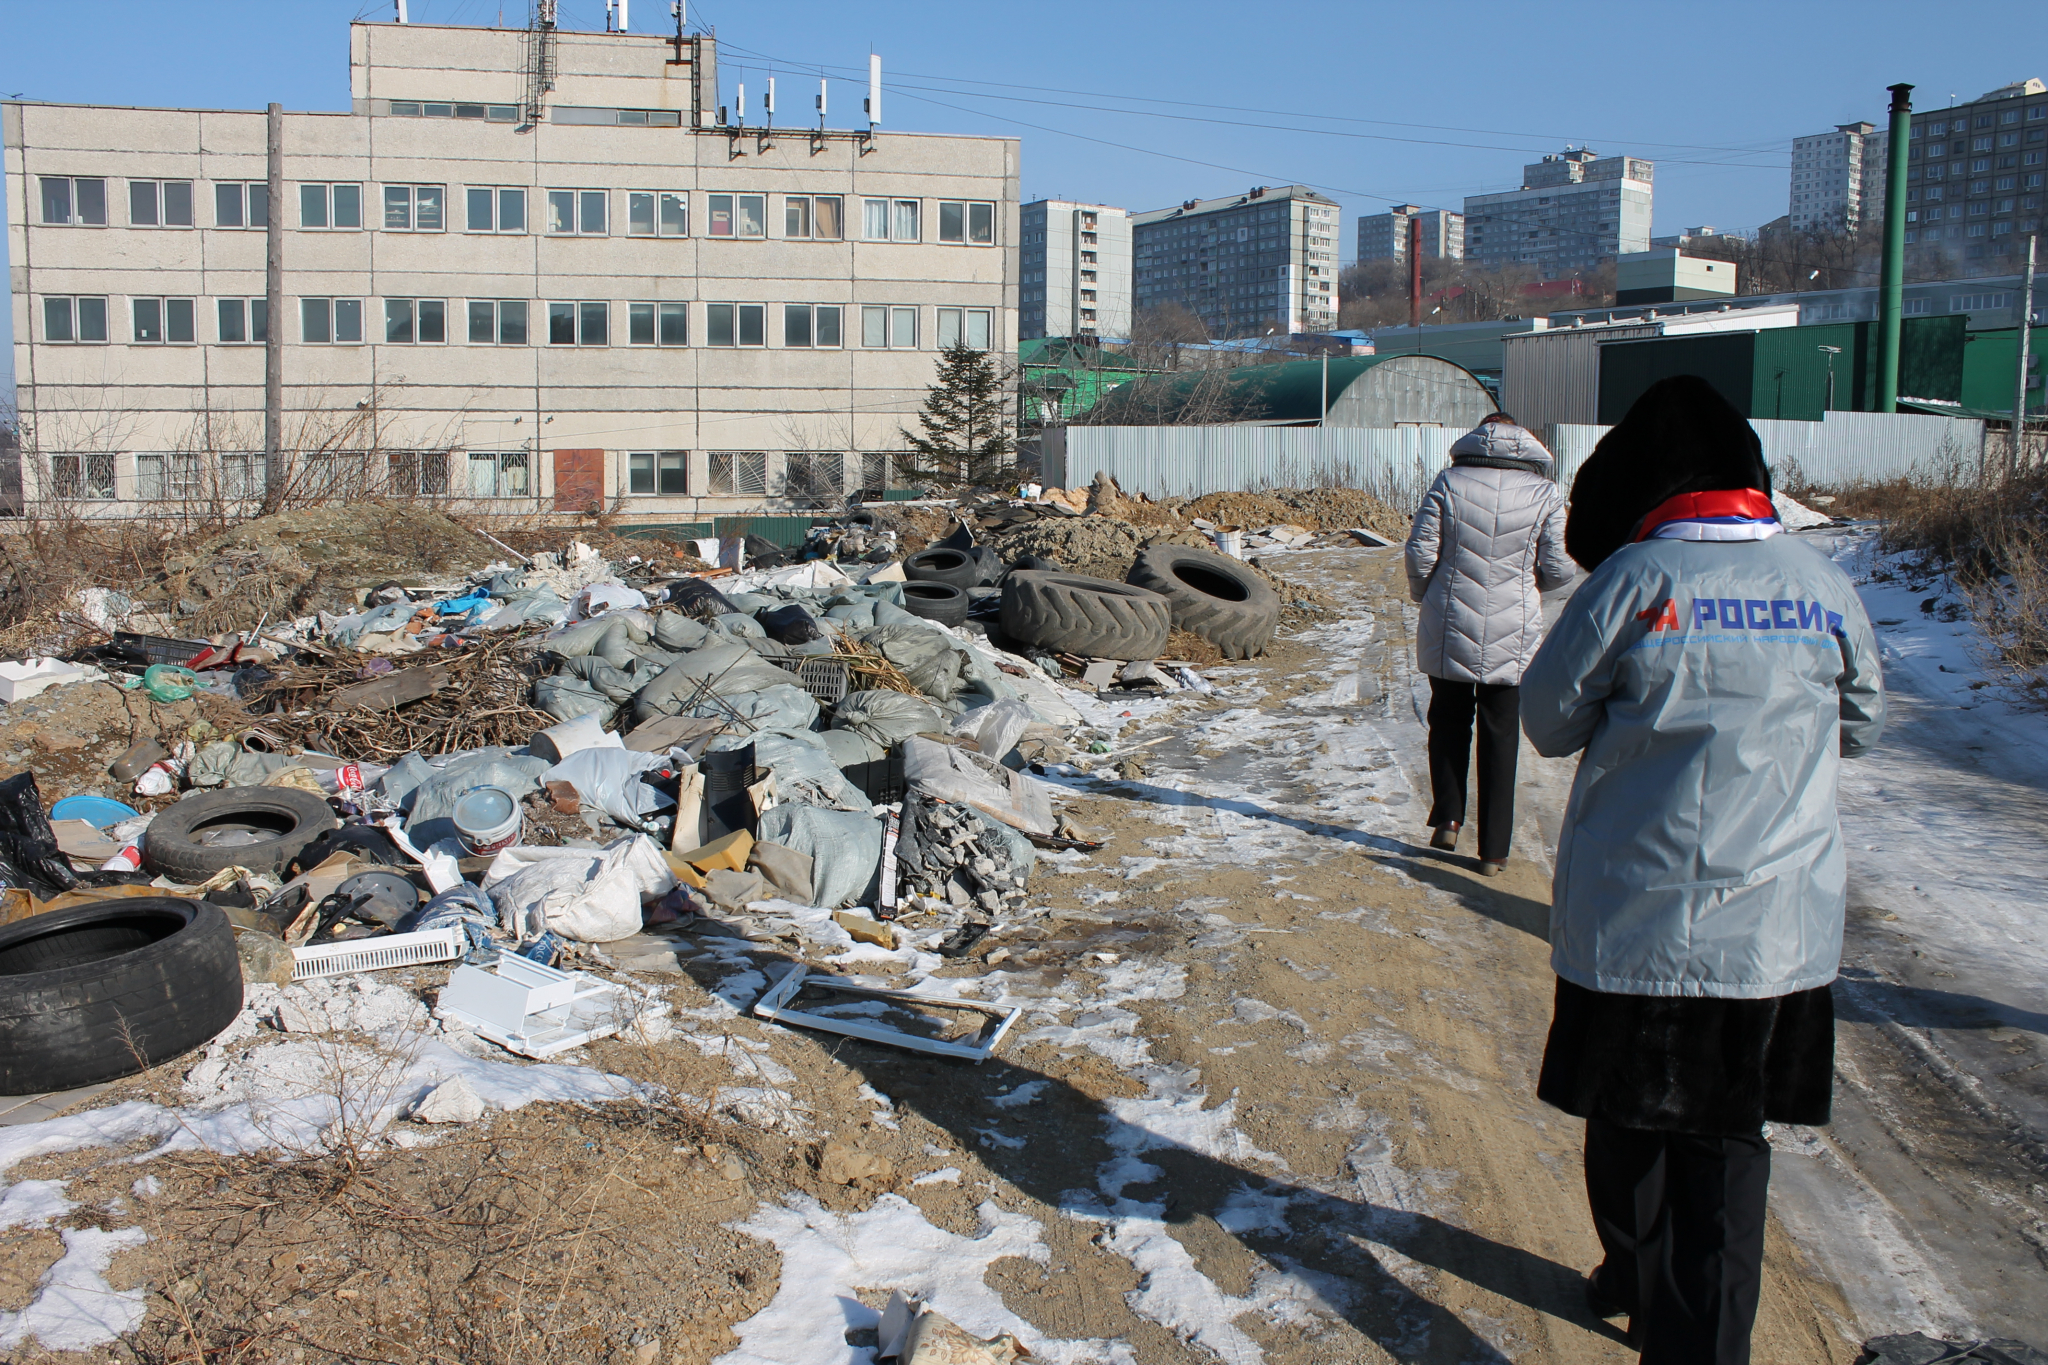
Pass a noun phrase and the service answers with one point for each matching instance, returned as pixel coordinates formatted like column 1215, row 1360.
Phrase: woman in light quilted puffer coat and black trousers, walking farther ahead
column 1490, row 539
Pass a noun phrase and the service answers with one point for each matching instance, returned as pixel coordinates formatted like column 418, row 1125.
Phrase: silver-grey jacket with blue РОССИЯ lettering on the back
column 1715, row 691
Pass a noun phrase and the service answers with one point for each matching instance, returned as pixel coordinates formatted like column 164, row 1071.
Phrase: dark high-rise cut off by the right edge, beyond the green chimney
column 1975, row 181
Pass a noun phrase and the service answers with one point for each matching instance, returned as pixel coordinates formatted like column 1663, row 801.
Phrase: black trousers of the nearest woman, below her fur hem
column 1682, row 1227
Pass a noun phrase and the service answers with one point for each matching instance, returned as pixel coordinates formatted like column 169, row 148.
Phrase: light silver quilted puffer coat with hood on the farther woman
column 1488, row 541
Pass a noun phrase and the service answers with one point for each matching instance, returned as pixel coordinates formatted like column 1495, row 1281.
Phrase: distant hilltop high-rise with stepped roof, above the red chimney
column 1574, row 212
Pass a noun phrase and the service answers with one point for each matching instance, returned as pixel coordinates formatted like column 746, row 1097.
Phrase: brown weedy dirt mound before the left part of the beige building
column 312, row 560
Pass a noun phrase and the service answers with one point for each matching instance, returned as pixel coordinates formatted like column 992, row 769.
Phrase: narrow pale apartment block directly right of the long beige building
column 1074, row 271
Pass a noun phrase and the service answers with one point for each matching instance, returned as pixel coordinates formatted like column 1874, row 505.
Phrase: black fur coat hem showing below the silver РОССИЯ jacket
column 1691, row 1065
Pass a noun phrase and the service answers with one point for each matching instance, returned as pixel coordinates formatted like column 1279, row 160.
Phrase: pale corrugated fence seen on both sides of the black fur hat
column 1846, row 447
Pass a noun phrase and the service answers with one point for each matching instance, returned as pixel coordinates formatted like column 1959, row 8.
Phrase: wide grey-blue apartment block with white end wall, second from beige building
column 1256, row 263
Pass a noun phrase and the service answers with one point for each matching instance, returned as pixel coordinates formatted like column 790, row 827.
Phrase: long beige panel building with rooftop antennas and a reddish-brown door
column 529, row 269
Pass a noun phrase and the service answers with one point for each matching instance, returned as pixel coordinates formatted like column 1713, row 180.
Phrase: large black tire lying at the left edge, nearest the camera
column 110, row 989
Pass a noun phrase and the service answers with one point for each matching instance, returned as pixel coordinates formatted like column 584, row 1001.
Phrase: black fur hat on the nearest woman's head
column 1680, row 437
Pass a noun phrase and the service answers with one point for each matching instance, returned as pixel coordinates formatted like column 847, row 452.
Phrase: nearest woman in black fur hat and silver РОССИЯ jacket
column 1713, row 674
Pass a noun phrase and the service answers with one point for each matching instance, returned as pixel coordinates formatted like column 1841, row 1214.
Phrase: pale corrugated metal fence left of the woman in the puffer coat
column 1187, row 461
